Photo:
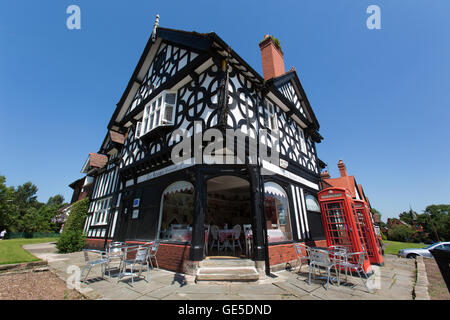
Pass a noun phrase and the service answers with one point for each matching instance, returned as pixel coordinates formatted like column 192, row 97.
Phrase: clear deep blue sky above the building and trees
column 381, row 96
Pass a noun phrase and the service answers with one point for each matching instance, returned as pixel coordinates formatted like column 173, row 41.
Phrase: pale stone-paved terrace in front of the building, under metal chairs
column 395, row 282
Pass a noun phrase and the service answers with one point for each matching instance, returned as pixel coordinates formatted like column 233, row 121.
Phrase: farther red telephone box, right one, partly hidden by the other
column 370, row 238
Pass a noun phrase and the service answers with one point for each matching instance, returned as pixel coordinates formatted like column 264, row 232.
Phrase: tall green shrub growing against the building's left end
column 72, row 238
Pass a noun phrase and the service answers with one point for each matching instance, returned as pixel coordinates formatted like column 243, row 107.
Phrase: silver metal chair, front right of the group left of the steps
column 140, row 259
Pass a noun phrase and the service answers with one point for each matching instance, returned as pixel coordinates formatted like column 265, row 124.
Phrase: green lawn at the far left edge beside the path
column 11, row 250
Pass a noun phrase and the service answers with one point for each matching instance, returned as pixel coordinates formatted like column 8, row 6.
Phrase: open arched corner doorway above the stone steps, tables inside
column 228, row 219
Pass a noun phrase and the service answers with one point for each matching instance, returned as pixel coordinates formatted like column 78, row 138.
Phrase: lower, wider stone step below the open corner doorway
column 227, row 274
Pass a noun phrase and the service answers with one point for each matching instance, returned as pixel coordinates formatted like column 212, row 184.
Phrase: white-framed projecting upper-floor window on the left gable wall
column 159, row 112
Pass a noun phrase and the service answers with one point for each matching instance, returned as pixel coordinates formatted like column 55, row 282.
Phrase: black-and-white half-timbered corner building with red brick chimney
column 195, row 82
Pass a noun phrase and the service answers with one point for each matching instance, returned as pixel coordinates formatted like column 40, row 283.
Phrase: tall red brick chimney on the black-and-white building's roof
column 272, row 58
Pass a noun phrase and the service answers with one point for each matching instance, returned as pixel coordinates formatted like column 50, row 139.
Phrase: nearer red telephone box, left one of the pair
column 340, row 221
